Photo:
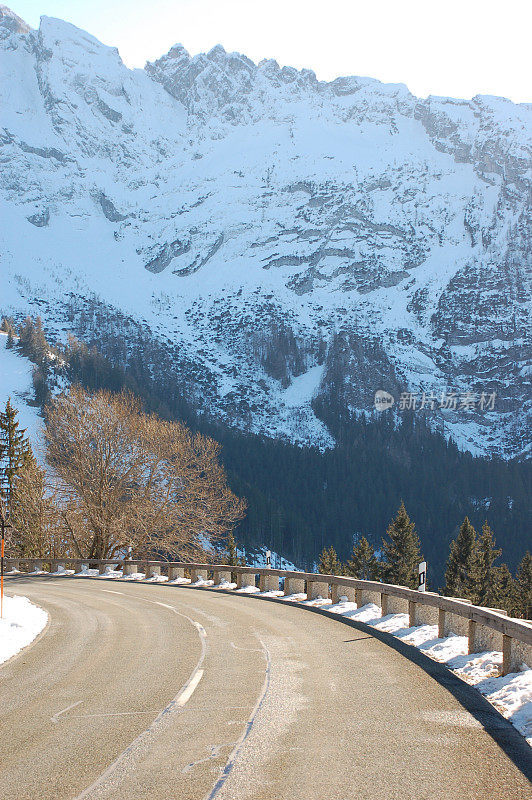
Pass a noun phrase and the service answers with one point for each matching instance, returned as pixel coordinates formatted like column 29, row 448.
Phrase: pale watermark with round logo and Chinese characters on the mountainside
column 445, row 400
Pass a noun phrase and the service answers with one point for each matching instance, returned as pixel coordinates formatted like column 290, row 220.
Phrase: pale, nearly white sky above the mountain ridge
column 458, row 48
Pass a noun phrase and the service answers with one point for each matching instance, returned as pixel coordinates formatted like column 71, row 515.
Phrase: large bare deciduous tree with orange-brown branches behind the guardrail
column 128, row 479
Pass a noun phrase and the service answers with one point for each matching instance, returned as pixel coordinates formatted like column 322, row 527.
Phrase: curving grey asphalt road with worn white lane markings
column 141, row 691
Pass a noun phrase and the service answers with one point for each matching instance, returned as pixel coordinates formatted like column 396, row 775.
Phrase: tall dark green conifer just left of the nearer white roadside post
column 401, row 551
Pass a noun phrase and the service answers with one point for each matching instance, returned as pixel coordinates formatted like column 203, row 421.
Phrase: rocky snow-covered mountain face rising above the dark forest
column 300, row 244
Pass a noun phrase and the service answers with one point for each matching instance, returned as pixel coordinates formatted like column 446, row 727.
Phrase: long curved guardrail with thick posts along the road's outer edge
column 486, row 629
